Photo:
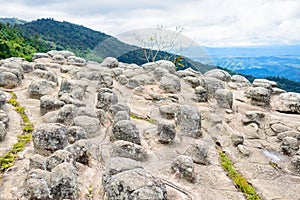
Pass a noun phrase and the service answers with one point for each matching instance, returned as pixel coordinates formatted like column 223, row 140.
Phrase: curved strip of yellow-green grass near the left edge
column 8, row 159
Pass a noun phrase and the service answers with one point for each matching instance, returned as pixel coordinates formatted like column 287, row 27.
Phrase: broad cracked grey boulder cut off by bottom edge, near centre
column 135, row 184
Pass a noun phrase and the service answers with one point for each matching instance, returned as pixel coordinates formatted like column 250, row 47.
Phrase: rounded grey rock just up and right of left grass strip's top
column 39, row 88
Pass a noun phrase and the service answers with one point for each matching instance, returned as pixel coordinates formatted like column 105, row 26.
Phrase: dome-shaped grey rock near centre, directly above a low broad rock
column 125, row 130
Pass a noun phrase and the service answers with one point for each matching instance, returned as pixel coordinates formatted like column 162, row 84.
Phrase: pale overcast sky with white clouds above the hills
column 208, row 22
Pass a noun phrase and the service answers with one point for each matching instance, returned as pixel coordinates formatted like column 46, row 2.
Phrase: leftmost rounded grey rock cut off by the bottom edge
column 36, row 185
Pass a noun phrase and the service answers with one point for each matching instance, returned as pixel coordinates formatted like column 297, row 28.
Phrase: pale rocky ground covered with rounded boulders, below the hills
column 122, row 131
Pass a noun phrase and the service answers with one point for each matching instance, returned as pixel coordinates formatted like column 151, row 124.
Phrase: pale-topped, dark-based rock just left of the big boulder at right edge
column 259, row 96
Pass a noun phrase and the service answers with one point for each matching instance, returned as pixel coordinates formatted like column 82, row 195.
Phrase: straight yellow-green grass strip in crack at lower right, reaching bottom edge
column 238, row 179
